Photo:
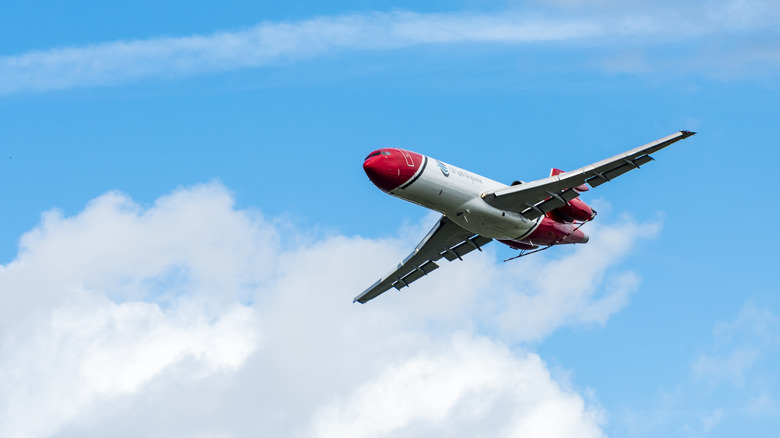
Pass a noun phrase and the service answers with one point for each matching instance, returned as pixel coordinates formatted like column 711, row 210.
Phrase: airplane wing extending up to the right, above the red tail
column 536, row 198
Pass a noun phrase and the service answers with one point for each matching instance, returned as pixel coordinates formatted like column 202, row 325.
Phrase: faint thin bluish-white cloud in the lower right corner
column 730, row 383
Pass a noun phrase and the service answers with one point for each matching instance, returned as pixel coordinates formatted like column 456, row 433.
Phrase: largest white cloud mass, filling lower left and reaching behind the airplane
column 192, row 318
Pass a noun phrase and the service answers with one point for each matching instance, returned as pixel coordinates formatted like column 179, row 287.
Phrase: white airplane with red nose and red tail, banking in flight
column 527, row 216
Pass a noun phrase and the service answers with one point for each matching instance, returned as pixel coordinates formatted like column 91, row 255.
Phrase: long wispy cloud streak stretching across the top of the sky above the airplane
column 604, row 26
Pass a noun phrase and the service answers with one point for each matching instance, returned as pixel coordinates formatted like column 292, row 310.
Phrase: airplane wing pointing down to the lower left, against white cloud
column 446, row 240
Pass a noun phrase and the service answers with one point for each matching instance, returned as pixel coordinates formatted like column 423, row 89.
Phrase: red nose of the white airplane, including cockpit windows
column 389, row 169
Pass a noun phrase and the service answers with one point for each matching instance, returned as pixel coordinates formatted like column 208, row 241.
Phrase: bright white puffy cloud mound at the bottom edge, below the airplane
column 469, row 383
